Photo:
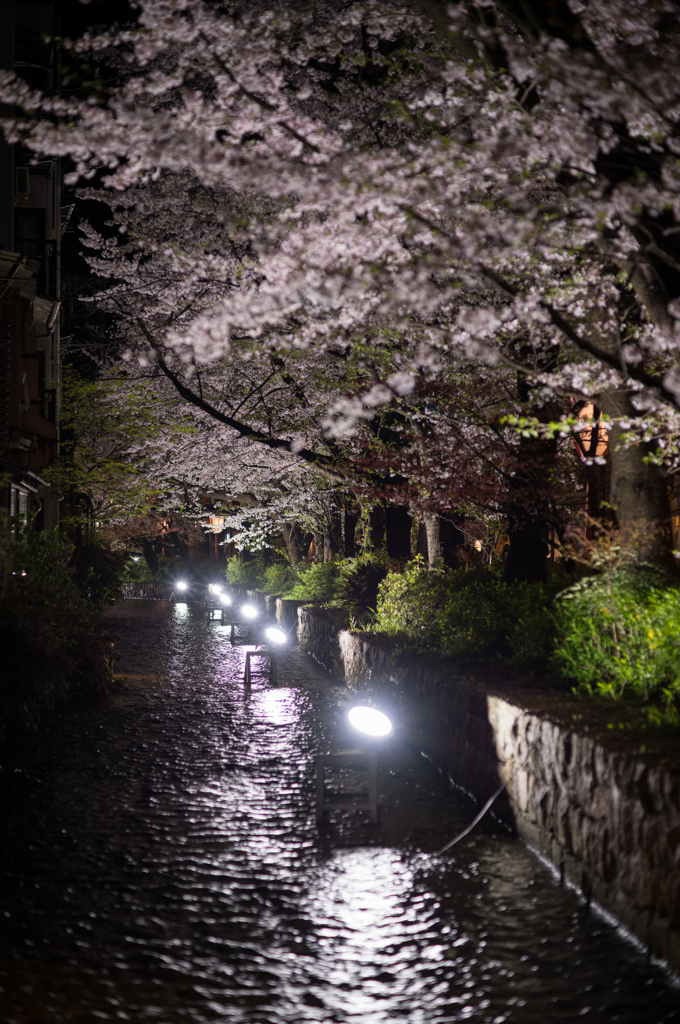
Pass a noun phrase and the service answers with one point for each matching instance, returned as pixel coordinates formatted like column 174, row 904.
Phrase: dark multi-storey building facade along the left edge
column 32, row 224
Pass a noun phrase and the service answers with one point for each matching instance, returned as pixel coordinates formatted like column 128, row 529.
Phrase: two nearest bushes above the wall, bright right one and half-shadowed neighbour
column 614, row 635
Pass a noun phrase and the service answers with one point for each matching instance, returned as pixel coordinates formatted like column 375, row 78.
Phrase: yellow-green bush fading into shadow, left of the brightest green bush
column 470, row 614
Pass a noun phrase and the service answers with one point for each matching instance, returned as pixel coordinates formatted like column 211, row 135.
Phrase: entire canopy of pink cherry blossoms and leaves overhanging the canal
column 316, row 219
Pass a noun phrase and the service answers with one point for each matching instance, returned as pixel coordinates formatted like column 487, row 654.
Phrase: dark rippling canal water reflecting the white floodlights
column 161, row 862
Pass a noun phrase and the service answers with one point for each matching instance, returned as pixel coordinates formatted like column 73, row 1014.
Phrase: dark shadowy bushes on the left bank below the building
column 53, row 645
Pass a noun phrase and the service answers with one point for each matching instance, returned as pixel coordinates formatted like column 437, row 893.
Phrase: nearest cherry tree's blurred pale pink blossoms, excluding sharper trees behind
column 494, row 185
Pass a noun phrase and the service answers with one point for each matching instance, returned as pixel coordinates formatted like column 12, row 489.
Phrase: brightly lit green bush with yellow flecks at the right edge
column 620, row 635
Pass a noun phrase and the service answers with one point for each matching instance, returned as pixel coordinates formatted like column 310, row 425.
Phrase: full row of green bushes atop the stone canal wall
column 612, row 635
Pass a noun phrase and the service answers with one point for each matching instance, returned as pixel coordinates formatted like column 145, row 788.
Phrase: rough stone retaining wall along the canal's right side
column 607, row 818
